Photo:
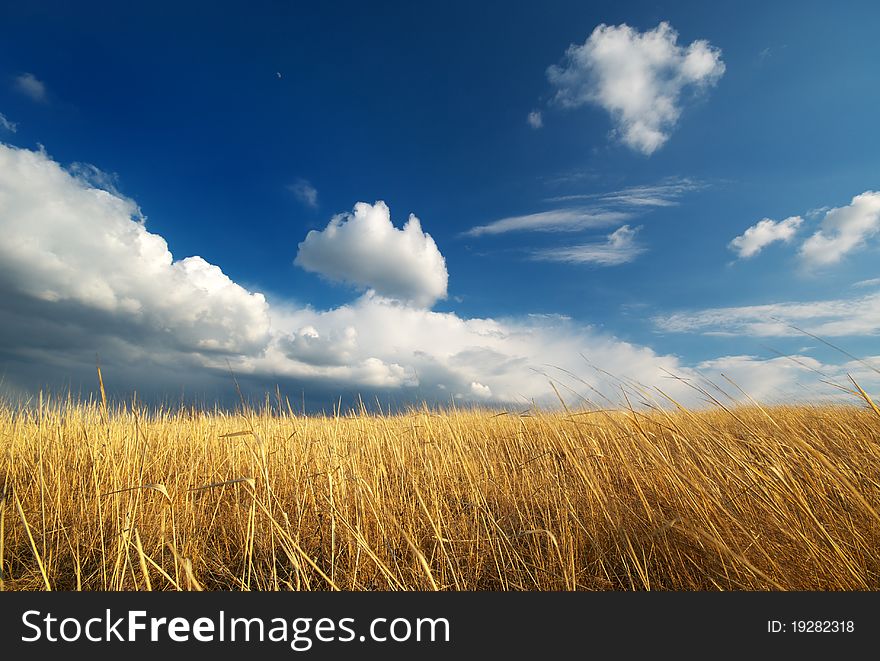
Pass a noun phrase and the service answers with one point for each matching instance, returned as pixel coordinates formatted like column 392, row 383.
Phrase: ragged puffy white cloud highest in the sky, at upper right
column 637, row 77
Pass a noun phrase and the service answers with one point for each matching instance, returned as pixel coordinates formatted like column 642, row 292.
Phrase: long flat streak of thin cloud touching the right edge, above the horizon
column 830, row 318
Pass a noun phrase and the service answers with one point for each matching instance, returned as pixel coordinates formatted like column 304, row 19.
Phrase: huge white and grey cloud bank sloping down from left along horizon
column 80, row 274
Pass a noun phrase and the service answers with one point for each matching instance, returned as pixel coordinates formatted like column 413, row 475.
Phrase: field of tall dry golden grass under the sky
column 99, row 498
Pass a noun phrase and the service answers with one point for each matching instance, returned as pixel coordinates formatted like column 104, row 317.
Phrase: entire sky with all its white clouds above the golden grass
column 237, row 129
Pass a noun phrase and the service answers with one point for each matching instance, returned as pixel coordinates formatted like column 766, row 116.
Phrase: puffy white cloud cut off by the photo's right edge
column 843, row 230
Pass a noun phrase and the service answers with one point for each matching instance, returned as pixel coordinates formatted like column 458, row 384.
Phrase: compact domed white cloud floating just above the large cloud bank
column 363, row 248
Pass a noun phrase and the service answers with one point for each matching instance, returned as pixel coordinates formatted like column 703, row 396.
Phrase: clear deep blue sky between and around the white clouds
column 424, row 105
